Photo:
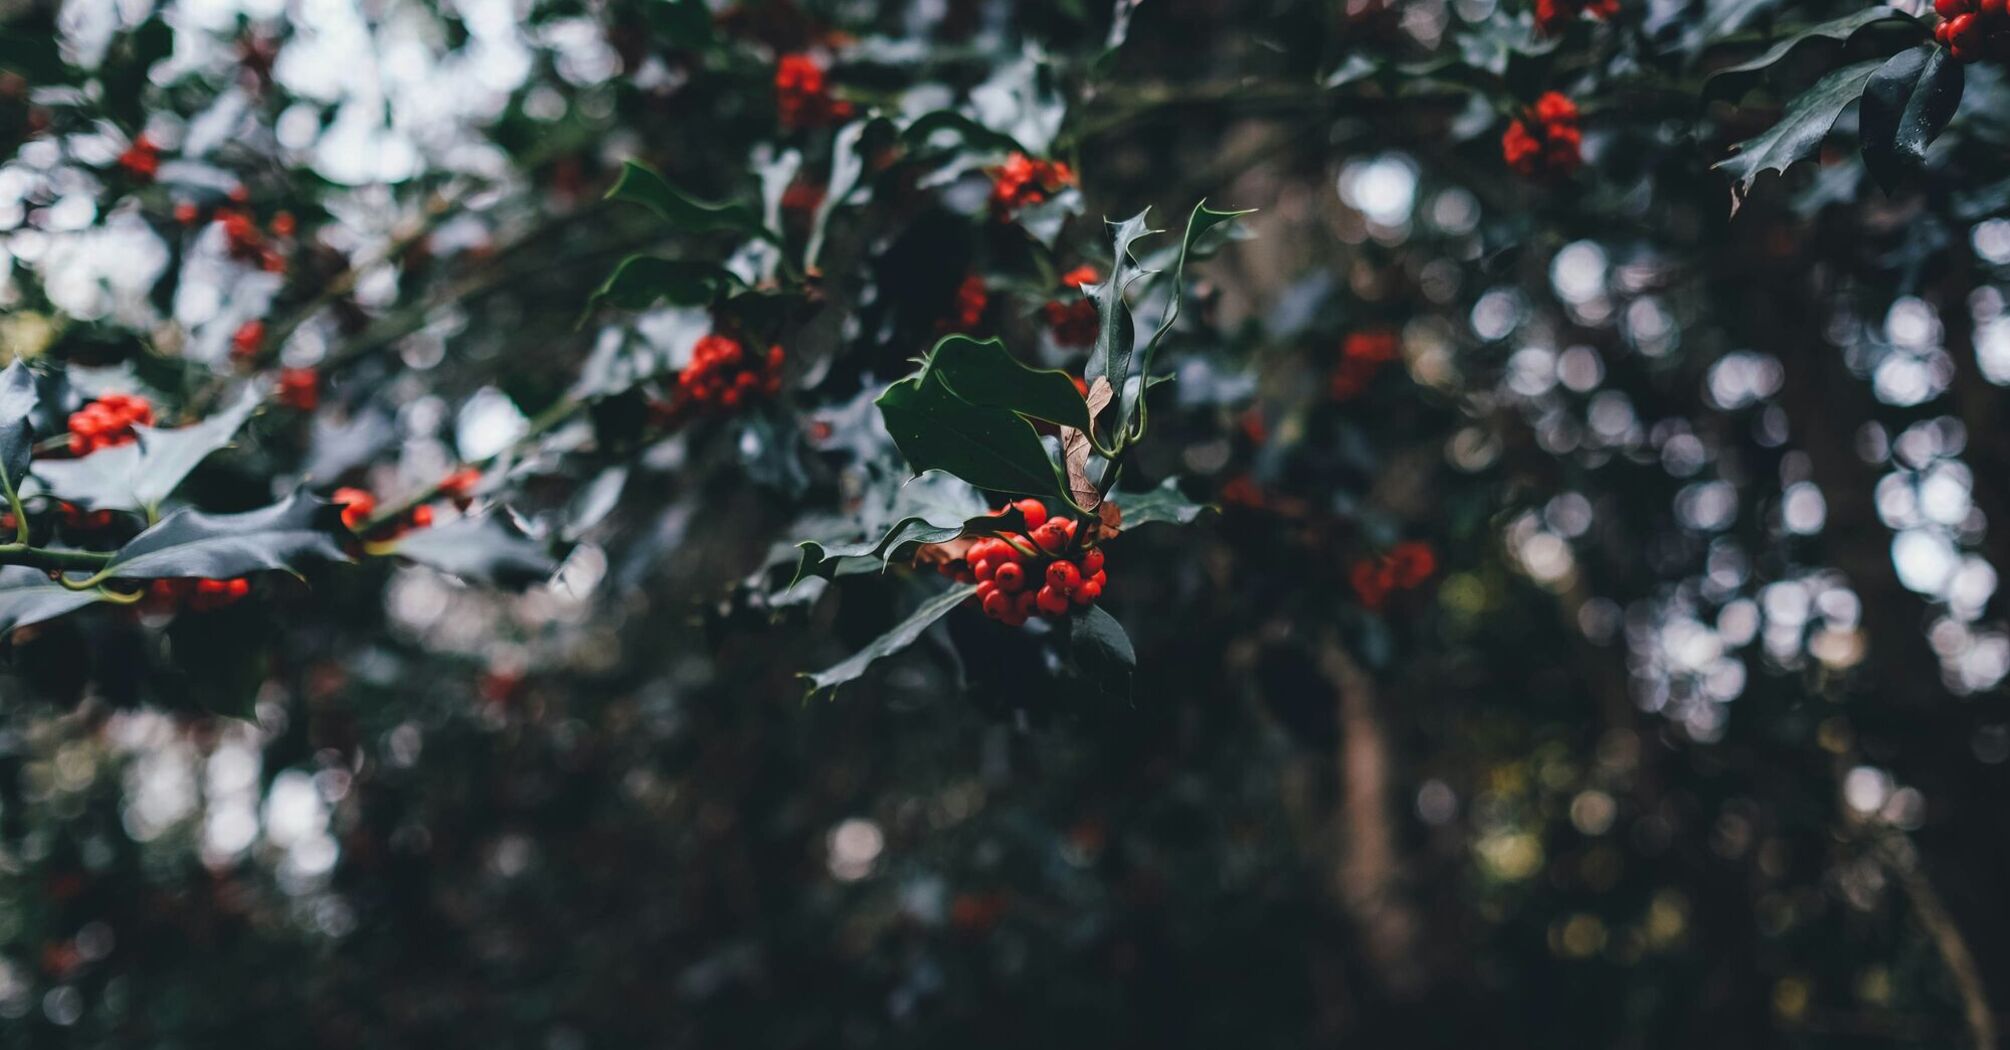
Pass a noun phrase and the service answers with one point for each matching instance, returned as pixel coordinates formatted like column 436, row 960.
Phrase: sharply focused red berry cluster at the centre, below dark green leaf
column 1040, row 572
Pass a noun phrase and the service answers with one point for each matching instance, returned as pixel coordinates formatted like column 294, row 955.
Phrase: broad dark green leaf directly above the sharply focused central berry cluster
column 984, row 446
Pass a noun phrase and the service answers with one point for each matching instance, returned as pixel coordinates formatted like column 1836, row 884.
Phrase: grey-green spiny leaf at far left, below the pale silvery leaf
column 192, row 544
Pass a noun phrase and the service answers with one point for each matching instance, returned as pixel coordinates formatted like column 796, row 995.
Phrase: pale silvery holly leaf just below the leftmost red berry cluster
column 134, row 478
